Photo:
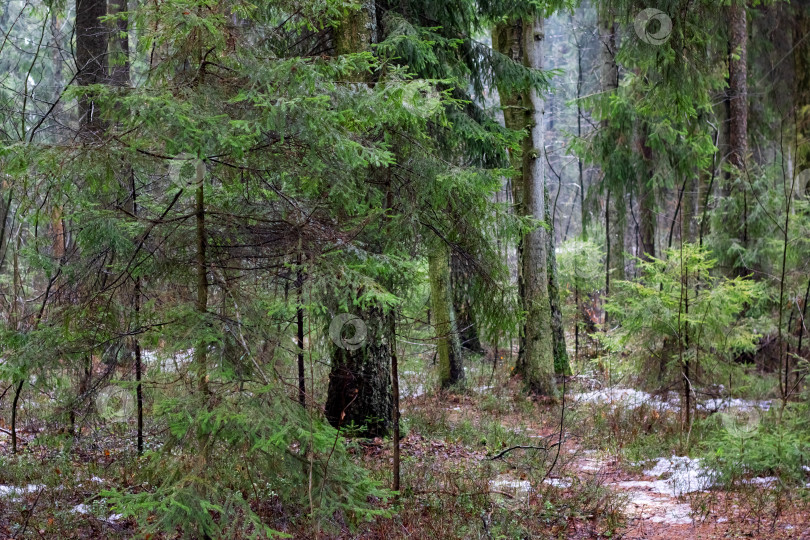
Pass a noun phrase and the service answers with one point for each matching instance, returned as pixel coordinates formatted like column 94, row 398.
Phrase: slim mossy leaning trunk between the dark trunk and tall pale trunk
column 451, row 369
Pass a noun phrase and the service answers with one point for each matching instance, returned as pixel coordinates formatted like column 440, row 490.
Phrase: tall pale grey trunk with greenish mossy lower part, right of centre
column 539, row 355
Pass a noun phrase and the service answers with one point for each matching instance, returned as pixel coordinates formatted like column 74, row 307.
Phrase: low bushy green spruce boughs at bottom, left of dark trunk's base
column 204, row 478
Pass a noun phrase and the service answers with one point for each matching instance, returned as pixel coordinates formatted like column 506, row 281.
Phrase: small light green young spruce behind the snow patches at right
column 680, row 310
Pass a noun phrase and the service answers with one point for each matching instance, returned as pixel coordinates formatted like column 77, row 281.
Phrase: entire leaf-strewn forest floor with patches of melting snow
column 484, row 462
